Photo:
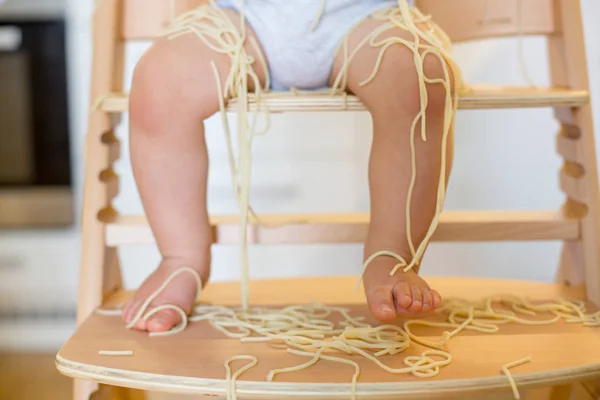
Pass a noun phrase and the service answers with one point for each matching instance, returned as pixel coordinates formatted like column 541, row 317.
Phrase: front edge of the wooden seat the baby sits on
column 475, row 97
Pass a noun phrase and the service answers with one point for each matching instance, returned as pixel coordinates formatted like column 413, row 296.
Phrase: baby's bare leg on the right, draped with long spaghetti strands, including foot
column 393, row 100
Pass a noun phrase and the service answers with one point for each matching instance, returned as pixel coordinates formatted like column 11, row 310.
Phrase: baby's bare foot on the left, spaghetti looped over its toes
column 180, row 292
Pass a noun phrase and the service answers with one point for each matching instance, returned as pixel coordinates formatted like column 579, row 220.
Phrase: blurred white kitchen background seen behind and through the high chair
column 504, row 159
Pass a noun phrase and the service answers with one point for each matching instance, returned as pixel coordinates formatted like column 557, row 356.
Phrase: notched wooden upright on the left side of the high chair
column 98, row 264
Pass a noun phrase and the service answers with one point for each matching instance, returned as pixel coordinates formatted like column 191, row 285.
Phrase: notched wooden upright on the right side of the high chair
column 576, row 144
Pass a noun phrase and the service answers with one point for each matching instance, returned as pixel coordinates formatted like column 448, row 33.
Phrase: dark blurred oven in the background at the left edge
column 35, row 162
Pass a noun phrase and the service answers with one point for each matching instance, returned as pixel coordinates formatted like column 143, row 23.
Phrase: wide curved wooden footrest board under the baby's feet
column 192, row 362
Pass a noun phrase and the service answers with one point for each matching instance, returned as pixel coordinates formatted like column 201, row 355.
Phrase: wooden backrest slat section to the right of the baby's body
column 465, row 20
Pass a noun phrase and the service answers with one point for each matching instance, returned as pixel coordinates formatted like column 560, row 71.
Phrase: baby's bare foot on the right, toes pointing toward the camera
column 405, row 294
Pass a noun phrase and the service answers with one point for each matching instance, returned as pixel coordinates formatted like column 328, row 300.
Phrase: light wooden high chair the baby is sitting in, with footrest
column 562, row 356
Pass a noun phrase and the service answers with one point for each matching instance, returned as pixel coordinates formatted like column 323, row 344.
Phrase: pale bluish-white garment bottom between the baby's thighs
column 298, row 57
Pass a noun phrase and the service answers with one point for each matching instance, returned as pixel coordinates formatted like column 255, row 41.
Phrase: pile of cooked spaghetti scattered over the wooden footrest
column 331, row 333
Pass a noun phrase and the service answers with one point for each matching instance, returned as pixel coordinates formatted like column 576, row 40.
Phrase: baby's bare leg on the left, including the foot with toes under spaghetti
column 173, row 92
